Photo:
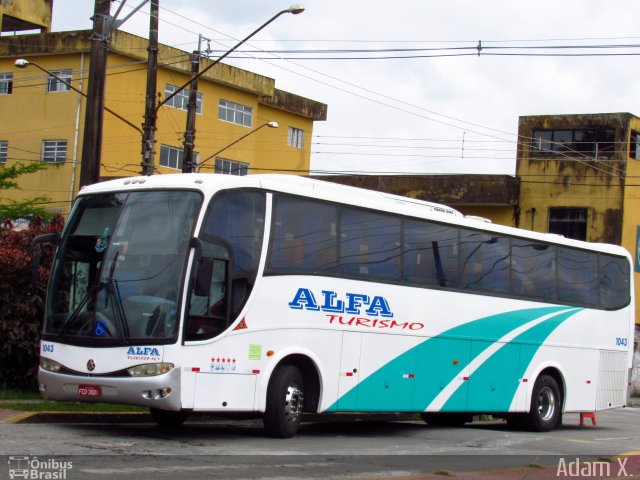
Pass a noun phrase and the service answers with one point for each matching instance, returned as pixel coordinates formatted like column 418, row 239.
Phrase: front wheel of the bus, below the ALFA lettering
column 285, row 402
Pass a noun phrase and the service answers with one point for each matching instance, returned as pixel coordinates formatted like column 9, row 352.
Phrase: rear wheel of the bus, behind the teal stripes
column 546, row 405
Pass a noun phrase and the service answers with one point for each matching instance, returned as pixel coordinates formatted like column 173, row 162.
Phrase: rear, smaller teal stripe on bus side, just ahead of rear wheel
column 492, row 386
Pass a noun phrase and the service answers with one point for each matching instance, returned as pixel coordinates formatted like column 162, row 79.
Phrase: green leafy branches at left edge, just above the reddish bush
column 31, row 208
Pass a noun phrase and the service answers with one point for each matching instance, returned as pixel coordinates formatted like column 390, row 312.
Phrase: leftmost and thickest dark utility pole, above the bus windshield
column 92, row 137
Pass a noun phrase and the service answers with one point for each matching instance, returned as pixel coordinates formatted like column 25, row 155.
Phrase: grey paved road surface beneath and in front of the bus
column 100, row 448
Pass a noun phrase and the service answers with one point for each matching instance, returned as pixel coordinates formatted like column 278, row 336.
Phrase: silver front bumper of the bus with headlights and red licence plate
column 160, row 391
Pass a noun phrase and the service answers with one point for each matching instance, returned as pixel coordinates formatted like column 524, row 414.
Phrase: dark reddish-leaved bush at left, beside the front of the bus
column 22, row 305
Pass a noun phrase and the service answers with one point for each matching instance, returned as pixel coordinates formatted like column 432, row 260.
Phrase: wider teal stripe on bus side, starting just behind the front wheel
column 435, row 363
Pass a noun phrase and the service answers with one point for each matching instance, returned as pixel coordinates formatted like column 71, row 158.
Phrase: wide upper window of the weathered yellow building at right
column 575, row 142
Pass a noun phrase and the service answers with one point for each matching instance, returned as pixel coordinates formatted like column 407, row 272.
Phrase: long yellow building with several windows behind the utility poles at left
column 43, row 120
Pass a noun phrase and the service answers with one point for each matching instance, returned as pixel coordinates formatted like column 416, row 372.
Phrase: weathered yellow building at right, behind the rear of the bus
column 580, row 177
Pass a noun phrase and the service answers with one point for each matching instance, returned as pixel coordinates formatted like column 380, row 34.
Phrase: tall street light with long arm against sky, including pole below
column 150, row 119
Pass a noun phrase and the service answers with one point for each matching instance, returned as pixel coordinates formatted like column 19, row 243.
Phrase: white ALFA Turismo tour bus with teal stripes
column 282, row 295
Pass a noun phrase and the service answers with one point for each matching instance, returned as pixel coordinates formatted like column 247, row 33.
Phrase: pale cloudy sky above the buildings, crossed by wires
column 416, row 86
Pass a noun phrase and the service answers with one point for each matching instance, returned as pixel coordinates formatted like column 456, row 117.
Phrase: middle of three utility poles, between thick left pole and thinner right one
column 150, row 112
